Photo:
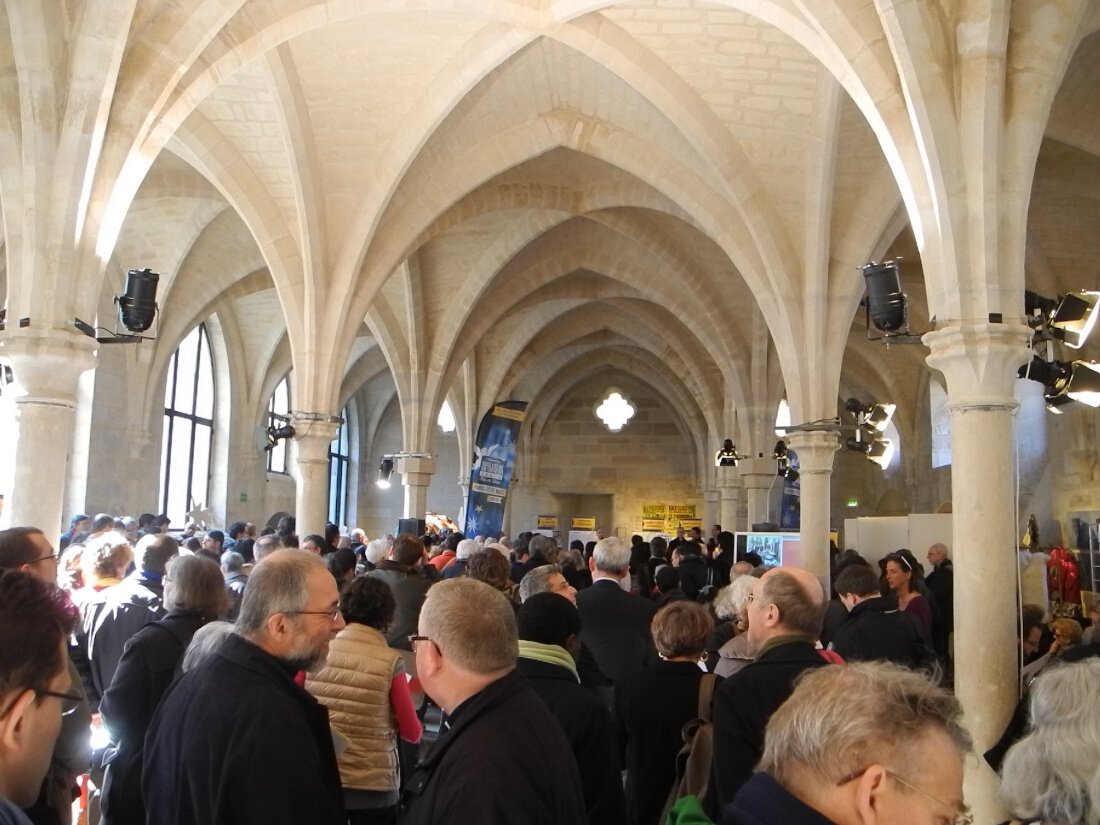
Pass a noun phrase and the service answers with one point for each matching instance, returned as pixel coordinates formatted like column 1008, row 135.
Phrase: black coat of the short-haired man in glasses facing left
column 504, row 761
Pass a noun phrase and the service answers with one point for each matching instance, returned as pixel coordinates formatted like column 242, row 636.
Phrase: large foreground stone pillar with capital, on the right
column 980, row 364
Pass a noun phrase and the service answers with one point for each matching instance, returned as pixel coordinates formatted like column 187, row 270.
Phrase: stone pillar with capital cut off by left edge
column 48, row 372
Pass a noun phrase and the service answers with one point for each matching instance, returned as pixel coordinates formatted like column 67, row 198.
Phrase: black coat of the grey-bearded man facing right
column 236, row 742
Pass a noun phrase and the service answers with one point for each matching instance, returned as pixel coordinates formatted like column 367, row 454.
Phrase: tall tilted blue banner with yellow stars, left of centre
column 494, row 458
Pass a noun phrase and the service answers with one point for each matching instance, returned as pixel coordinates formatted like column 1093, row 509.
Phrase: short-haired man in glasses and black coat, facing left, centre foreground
column 502, row 757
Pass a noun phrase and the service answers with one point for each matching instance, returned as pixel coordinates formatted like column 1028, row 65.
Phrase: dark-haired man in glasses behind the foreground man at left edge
column 28, row 551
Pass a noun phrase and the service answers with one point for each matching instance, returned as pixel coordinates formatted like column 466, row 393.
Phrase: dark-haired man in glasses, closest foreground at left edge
column 36, row 687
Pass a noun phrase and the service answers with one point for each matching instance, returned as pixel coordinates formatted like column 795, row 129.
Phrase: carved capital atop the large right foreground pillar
column 980, row 362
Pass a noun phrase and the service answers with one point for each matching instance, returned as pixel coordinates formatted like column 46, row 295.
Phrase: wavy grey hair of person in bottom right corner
column 1052, row 776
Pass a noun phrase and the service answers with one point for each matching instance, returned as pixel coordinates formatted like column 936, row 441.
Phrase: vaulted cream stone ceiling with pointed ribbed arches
column 501, row 200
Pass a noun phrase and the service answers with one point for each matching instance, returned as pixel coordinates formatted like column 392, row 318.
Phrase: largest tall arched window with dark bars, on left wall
column 189, row 427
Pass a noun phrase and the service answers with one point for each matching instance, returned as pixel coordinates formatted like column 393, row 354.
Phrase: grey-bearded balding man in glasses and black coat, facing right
column 237, row 740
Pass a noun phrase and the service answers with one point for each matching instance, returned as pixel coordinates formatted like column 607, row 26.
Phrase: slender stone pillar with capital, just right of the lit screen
column 816, row 475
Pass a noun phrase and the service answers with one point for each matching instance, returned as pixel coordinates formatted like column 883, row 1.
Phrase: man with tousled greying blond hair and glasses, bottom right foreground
column 867, row 743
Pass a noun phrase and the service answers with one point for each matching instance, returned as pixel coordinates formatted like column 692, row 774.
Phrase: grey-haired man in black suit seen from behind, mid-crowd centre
column 614, row 623
